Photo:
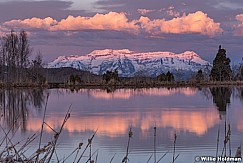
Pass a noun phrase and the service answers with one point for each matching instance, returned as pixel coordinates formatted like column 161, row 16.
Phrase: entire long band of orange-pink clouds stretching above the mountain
column 192, row 23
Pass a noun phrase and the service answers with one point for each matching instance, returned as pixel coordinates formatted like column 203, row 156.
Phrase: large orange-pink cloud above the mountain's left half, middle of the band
column 109, row 21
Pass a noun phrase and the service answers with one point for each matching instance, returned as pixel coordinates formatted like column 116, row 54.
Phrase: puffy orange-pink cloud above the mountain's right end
column 197, row 22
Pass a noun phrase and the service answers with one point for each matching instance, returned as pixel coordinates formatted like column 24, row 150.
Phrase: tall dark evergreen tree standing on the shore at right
column 221, row 70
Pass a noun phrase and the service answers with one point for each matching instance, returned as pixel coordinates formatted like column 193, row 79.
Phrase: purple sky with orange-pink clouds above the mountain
column 77, row 27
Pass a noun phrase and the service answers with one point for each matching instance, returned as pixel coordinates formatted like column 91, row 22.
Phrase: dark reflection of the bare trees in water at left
column 15, row 106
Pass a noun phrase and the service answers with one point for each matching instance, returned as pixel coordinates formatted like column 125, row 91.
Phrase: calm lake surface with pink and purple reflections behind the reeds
column 193, row 114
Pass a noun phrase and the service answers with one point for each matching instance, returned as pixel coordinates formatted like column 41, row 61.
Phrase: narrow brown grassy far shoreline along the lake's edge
column 175, row 84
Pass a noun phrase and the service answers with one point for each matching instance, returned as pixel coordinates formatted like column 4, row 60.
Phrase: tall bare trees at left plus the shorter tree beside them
column 15, row 65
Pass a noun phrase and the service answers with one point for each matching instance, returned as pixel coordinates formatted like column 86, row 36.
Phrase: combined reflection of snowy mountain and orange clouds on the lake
column 161, row 109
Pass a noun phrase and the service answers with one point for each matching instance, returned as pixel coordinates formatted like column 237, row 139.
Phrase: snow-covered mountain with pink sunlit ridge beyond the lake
column 129, row 63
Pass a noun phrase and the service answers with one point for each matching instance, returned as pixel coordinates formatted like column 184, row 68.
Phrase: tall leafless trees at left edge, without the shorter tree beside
column 14, row 54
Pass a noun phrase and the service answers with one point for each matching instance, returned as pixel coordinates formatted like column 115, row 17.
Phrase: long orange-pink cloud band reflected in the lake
column 118, row 123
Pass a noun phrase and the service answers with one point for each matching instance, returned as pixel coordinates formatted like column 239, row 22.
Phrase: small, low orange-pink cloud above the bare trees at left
column 31, row 23
